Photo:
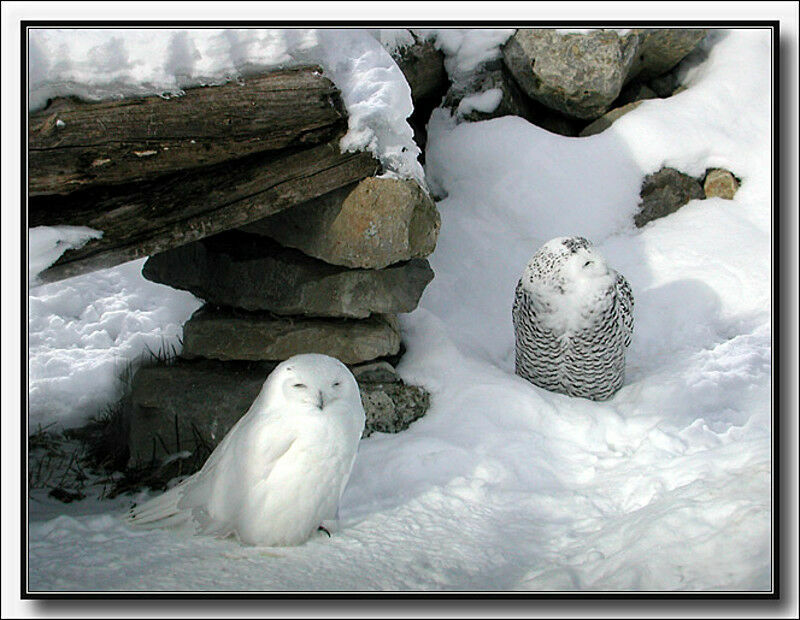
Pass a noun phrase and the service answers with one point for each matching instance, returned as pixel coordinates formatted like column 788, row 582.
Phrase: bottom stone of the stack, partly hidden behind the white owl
column 191, row 405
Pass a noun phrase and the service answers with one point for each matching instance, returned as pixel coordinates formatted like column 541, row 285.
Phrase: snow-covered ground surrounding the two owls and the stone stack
column 502, row 485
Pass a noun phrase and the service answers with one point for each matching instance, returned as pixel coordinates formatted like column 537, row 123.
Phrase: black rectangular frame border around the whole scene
column 773, row 25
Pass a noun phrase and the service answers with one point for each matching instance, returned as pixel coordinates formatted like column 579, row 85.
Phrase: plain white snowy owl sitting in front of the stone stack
column 282, row 468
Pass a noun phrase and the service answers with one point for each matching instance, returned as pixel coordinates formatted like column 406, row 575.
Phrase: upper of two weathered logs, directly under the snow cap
column 75, row 145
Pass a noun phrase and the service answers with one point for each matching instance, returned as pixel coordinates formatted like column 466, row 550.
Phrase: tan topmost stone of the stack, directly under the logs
column 378, row 222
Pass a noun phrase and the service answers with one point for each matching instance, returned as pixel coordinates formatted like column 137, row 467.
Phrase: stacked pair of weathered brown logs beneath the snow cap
column 280, row 149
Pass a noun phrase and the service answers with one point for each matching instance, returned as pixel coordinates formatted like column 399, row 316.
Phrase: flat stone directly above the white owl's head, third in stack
column 224, row 334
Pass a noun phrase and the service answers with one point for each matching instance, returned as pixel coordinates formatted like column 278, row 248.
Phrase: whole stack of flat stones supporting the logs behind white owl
column 327, row 276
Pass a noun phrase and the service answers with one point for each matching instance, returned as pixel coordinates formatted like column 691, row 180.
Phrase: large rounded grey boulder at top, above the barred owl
column 577, row 74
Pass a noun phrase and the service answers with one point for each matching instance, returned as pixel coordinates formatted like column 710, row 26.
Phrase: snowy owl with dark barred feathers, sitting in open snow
column 573, row 319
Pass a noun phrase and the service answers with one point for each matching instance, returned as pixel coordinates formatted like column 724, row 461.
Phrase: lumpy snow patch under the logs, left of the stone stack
column 84, row 331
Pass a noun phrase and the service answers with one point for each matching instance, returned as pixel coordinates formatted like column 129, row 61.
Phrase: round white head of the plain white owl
column 312, row 380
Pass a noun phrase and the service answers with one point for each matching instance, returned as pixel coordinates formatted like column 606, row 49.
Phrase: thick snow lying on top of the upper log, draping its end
column 106, row 64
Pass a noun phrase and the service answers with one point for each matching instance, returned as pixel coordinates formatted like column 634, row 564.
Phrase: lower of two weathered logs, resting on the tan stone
column 145, row 218
